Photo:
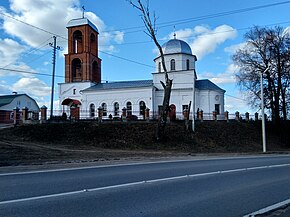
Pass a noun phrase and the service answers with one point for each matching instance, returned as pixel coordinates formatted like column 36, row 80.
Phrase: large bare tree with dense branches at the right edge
column 264, row 47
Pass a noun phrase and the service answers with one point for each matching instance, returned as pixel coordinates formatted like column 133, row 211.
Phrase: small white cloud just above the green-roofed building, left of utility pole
column 32, row 86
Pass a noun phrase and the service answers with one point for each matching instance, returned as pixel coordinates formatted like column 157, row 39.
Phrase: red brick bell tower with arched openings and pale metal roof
column 82, row 63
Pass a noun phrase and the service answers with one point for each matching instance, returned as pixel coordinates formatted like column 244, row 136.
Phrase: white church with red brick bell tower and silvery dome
column 83, row 93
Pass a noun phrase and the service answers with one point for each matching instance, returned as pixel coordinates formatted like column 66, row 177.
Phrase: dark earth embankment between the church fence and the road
column 71, row 143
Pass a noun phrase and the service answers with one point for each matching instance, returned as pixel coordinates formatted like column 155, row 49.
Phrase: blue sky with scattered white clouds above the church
column 213, row 29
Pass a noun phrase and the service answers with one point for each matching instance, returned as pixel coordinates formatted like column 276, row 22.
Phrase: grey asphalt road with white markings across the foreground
column 216, row 187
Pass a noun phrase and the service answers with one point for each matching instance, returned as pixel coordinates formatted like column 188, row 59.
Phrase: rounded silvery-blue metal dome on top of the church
column 174, row 46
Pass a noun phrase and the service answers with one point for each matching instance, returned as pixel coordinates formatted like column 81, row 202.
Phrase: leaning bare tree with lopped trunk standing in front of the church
column 151, row 32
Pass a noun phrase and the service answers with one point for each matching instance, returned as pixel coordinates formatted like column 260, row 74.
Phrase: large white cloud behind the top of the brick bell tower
column 52, row 16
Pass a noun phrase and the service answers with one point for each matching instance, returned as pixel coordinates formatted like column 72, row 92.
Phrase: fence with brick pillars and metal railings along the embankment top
column 25, row 116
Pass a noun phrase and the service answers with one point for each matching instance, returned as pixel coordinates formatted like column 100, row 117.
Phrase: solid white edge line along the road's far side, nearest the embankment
column 144, row 163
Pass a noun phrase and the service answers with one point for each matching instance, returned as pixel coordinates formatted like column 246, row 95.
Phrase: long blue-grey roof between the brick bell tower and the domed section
column 120, row 85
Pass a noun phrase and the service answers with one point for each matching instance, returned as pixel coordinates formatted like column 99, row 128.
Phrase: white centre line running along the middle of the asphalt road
column 140, row 183
